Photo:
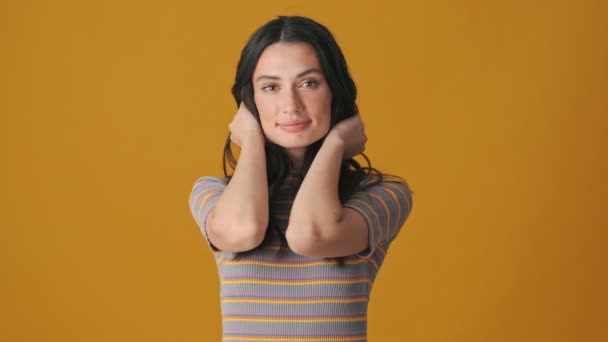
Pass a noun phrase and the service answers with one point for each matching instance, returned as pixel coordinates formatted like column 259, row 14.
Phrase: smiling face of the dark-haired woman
column 292, row 96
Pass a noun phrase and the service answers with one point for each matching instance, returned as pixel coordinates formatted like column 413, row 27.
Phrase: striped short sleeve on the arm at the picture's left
column 204, row 195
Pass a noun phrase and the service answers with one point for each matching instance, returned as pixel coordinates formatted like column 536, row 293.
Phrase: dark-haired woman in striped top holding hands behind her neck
column 300, row 229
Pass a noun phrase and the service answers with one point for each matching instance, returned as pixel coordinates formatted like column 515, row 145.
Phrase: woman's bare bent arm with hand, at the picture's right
column 318, row 224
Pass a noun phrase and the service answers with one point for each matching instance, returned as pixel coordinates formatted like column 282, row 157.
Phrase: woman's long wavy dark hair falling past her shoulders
column 343, row 105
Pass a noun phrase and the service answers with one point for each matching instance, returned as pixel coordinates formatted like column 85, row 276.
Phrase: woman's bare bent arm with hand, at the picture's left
column 239, row 218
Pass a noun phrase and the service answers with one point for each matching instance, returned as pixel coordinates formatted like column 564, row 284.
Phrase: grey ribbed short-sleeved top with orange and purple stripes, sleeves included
column 271, row 296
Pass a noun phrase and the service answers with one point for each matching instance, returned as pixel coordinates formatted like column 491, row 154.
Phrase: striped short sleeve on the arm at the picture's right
column 385, row 207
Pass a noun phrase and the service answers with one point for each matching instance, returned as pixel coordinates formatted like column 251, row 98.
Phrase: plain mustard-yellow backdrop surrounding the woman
column 494, row 111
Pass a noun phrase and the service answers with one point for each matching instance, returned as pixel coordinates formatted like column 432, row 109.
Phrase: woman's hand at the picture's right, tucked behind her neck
column 351, row 132
